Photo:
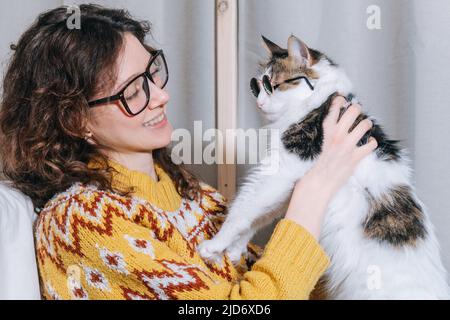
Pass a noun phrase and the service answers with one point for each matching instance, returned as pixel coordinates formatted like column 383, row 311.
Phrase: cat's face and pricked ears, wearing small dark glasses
column 285, row 64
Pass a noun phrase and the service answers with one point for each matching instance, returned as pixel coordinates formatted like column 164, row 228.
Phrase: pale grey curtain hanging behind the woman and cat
column 400, row 72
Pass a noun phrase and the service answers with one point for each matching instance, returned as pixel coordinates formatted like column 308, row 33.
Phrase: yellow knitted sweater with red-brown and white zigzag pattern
column 94, row 244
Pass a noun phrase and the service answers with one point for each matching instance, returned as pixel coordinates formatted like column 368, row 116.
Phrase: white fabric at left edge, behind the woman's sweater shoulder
column 18, row 271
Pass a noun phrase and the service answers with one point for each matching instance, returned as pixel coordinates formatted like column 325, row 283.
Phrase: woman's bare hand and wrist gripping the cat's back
column 340, row 156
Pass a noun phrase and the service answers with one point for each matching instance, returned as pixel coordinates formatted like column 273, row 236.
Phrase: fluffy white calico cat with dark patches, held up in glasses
column 375, row 226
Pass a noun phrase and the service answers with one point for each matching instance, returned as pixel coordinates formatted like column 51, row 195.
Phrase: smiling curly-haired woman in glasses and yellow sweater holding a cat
column 84, row 134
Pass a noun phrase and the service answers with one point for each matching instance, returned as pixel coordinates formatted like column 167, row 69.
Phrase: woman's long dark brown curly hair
column 44, row 109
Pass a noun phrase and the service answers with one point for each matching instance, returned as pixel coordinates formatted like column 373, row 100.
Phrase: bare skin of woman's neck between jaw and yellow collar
column 142, row 162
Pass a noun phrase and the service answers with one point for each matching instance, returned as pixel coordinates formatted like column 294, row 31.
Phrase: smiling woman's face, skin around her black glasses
column 121, row 133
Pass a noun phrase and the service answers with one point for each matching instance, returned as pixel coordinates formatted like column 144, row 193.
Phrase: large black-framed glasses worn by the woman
column 135, row 95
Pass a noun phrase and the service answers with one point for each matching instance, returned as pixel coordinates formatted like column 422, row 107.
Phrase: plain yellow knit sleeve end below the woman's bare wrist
column 289, row 268
